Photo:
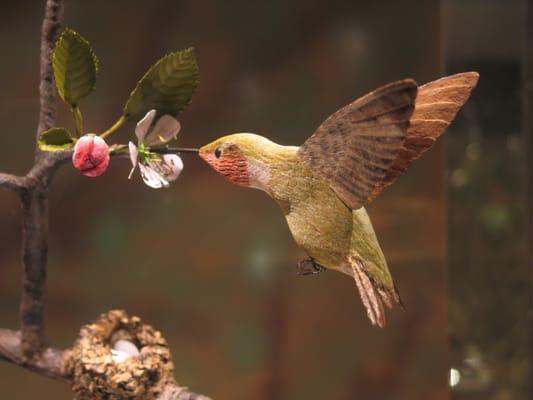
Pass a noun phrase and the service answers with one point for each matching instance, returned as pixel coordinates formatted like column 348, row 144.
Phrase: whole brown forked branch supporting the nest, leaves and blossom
column 27, row 347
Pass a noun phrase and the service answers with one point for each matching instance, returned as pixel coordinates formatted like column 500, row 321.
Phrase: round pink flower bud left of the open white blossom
column 91, row 155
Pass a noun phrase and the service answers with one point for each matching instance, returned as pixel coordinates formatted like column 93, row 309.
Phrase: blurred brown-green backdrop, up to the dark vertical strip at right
column 212, row 265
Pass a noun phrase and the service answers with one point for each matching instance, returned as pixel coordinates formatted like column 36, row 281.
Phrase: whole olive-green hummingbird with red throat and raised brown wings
column 323, row 185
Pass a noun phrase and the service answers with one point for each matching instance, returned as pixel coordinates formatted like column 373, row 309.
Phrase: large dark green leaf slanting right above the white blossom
column 167, row 86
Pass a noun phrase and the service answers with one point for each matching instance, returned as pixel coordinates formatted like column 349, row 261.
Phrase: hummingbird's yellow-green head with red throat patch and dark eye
column 241, row 158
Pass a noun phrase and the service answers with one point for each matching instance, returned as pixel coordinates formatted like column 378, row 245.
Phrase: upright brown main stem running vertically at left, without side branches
column 34, row 198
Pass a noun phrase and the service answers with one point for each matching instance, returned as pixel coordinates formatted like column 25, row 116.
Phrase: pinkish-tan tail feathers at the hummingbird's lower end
column 373, row 295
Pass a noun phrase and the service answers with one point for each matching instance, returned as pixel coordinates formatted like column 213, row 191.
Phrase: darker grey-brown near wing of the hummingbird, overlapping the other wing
column 354, row 148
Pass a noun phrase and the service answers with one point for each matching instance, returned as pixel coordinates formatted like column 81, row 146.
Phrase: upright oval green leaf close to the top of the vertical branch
column 75, row 67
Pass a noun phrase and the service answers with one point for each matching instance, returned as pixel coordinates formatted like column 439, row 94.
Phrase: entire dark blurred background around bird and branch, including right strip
column 213, row 266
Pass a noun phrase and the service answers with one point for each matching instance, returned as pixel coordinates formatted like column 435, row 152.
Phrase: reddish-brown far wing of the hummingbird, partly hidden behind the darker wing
column 436, row 105
